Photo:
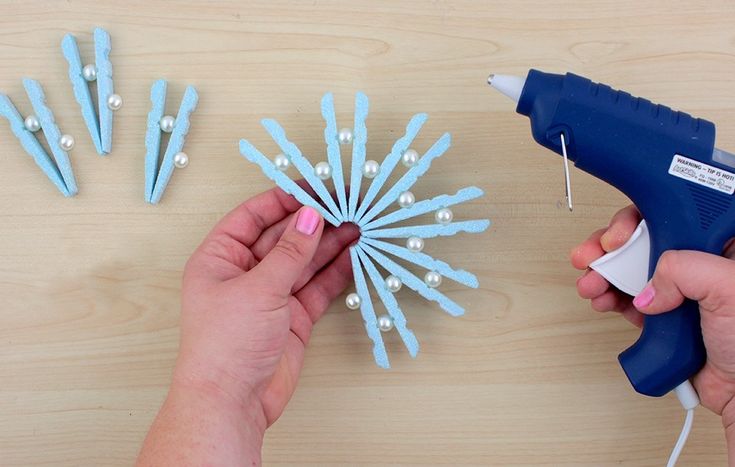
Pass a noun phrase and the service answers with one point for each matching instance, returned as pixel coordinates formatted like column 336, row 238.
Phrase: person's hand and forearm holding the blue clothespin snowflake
column 251, row 293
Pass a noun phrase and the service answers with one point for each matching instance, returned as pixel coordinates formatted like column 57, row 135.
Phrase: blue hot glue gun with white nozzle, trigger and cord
column 666, row 162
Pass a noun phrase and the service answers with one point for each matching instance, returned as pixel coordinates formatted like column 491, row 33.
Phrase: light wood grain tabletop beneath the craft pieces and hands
column 89, row 286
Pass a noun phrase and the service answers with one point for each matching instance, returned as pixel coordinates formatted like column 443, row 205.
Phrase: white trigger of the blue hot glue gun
column 627, row 267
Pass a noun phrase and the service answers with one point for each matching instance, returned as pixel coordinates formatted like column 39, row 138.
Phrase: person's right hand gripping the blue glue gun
column 706, row 278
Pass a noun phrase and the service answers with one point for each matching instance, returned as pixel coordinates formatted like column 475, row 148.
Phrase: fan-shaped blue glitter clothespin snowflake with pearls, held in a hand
column 372, row 248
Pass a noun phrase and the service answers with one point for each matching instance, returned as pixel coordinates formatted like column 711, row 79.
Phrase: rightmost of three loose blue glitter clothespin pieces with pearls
column 157, row 178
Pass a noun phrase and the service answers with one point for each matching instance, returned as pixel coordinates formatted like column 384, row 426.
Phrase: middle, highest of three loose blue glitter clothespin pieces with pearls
column 99, row 123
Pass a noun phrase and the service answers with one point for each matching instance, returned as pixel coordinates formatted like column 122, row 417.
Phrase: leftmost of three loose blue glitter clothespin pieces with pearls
column 57, row 168
